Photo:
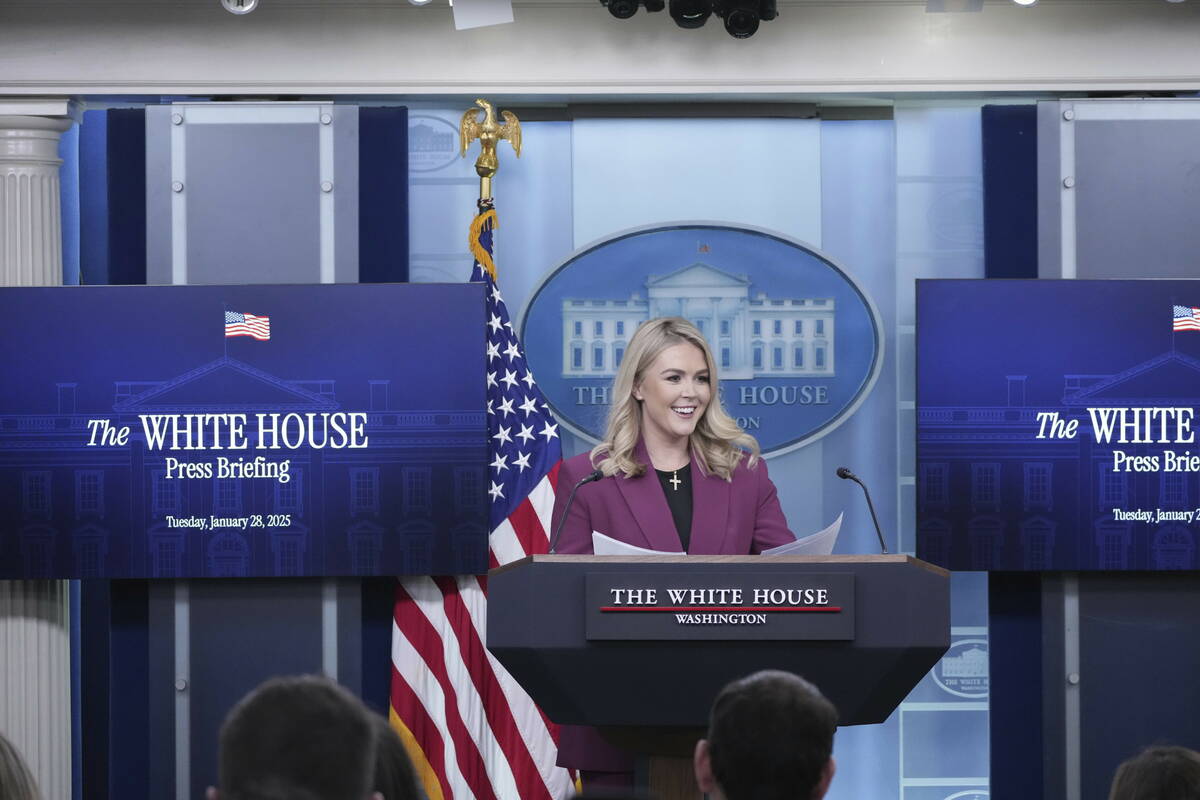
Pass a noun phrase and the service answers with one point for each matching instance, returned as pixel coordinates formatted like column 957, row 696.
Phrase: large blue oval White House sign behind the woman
column 799, row 345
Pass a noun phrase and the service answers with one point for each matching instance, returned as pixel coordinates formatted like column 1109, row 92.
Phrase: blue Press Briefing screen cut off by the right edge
column 1057, row 424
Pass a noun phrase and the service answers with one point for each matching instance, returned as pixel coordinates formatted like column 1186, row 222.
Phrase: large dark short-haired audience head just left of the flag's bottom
column 297, row 739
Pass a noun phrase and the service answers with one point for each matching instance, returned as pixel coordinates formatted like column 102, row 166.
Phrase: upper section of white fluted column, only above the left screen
column 31, row 212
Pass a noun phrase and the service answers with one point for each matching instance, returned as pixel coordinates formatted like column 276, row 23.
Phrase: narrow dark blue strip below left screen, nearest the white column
column 130, row 730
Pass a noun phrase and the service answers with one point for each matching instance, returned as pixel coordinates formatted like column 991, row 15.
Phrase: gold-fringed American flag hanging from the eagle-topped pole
column 470, row 727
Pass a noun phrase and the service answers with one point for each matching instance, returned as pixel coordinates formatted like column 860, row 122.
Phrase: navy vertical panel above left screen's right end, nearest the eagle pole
column 383, row 195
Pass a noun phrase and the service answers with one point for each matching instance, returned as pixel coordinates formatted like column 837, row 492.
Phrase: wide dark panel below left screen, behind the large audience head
column 242, row 634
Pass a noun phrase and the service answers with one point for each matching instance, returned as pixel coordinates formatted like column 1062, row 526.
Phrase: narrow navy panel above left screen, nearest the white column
column 127, row 197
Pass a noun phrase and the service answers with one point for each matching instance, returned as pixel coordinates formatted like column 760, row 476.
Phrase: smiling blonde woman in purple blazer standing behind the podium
column 674, row 474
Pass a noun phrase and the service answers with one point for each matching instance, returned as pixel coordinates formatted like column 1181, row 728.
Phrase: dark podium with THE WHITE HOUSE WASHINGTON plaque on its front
column 623, row 643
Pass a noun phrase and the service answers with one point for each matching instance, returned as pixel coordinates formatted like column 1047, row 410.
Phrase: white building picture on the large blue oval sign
column 751, row 338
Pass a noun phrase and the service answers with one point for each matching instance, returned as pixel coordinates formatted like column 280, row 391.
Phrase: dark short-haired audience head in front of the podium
column 770, row 738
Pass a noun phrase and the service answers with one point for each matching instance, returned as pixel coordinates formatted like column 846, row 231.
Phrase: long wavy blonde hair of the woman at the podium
column 717, row 442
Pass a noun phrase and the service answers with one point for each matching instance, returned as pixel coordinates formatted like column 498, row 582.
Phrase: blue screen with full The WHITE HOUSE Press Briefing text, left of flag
column 243, row 431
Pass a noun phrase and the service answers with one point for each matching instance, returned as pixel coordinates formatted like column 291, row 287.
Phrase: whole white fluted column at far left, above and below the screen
column 35, row 633
